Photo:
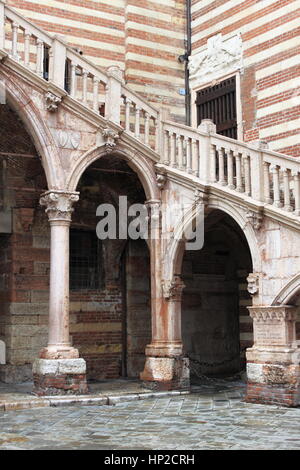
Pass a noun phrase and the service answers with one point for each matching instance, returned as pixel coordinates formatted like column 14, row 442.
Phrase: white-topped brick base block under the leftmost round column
column 59, row 377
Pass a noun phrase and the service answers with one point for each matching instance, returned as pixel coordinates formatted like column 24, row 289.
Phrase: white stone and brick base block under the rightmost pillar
column 273, row 384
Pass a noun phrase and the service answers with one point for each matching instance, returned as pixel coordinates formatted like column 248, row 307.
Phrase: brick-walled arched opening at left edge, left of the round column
column 24, row 250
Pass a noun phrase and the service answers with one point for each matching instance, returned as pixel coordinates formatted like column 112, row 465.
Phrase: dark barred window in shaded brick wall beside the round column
column 85, row 260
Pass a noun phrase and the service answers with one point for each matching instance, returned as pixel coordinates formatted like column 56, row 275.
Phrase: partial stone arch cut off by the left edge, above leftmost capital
column 35, row 125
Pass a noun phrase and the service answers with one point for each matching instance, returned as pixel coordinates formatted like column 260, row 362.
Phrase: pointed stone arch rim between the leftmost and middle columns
column 138, row 163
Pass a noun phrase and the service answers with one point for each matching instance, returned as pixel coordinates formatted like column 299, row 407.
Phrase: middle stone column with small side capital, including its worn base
column 165, row 366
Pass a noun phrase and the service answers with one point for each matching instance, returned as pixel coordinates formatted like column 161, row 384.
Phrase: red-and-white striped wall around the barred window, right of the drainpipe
column 270, row 93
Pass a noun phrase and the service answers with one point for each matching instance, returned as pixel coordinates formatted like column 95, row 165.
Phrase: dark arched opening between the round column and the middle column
column 110, row 320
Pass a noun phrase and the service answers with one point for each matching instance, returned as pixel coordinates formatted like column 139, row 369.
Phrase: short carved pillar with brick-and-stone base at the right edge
column 273, row 362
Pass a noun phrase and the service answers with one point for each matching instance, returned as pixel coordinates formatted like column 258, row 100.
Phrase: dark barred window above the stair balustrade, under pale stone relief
column 218, row 103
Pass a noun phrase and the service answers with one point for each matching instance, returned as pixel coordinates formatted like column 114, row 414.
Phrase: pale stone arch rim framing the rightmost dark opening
column 177, row 246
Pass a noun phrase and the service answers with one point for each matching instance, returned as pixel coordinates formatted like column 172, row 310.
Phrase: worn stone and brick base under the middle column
column 166, row 373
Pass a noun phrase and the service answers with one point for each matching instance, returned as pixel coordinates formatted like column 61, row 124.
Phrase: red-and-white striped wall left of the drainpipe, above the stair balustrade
column 143, row 37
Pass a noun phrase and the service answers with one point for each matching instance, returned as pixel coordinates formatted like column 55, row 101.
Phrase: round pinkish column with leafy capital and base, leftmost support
column 59, row 370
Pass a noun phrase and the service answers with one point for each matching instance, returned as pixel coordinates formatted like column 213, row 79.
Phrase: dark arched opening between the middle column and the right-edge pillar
column 216, row 326
